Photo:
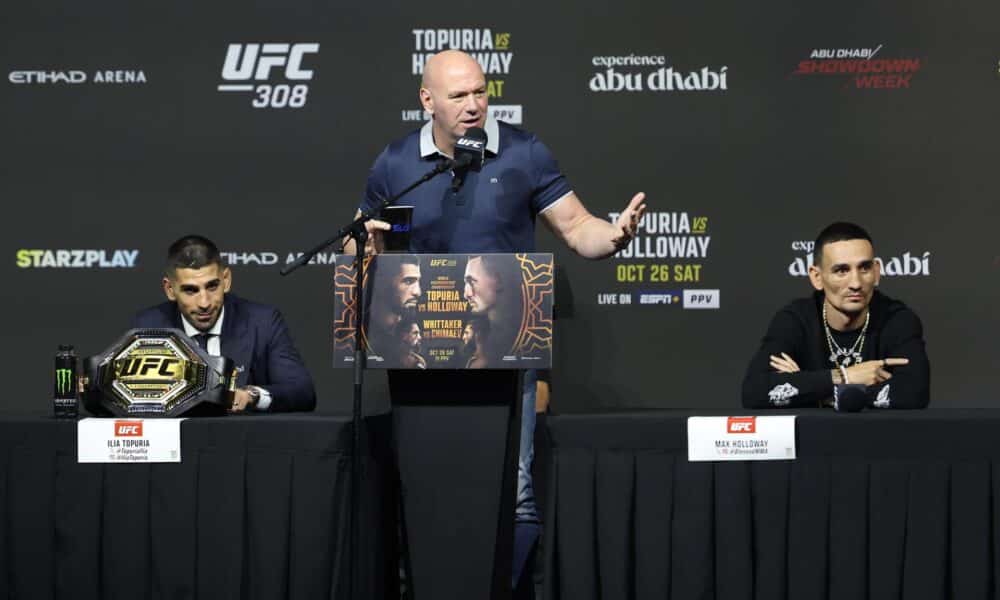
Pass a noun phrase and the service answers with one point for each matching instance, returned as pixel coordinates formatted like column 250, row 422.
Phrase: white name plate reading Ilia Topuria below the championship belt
column 128, row 440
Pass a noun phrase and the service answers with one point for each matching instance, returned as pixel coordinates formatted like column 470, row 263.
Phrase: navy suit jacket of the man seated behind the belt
column 256, row 338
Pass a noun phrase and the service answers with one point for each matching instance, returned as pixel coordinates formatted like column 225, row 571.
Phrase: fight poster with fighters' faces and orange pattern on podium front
column 447, row 311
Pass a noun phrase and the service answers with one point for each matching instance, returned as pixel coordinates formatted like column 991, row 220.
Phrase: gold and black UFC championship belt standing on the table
column 157, row 373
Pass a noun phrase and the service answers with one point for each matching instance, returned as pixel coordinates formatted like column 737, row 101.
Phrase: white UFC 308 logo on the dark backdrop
column 250, row 68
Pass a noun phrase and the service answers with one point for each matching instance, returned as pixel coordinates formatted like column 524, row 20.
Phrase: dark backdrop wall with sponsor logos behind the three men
column 767, row 159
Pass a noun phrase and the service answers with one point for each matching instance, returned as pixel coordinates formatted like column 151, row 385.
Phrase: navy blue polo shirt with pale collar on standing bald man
column 493, row 211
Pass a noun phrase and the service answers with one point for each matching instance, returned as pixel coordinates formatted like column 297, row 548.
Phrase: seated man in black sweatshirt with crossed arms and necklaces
column 847, row 332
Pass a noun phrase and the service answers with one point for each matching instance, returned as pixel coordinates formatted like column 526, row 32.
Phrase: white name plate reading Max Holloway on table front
column 741, row 438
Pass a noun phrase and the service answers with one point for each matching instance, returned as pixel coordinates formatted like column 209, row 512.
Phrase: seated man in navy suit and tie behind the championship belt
column 271, row 376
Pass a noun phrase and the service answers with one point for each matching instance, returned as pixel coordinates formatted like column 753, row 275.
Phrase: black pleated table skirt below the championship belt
column 257, row 509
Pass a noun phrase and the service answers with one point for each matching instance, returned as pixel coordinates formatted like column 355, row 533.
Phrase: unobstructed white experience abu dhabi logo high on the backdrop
column 653, row 73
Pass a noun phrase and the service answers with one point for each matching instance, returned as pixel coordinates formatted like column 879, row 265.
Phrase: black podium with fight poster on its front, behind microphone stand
column 455, row 333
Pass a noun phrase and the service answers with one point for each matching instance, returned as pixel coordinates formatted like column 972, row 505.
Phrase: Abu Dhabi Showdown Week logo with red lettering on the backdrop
column 860, row 68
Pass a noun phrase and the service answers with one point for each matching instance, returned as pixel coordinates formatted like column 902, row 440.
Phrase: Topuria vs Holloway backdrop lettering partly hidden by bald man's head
column 491, row 49
